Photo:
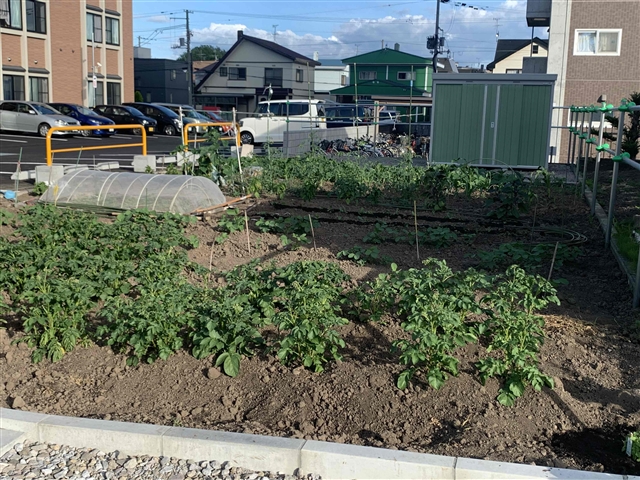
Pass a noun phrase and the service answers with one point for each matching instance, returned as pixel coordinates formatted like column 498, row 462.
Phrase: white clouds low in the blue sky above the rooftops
column 470, row 33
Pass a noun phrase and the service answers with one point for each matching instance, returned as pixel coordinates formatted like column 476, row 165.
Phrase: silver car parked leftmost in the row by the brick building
column 33, row 117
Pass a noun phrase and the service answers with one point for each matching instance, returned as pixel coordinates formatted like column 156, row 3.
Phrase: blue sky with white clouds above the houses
column 335, row 29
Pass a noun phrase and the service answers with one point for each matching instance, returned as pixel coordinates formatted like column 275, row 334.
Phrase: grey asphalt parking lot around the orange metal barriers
column 31, row 151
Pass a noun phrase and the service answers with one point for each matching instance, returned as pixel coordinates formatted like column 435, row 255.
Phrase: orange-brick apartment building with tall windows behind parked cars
column 77, row 51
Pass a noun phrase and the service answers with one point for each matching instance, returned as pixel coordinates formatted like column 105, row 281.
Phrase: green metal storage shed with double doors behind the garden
column 501, row 120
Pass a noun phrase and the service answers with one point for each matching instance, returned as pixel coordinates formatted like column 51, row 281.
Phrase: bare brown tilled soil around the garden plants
column 591, row 351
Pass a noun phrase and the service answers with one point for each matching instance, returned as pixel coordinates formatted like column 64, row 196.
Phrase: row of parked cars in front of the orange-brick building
column 167, row 119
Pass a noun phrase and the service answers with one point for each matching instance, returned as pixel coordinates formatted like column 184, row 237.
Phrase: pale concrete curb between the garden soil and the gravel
column 257, row 452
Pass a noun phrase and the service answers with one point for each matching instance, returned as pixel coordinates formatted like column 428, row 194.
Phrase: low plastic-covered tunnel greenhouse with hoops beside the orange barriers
column 124, row 191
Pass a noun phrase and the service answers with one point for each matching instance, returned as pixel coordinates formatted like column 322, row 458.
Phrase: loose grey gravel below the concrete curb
column 42, row 461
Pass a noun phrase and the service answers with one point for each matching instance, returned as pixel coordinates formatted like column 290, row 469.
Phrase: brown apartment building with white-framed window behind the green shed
column 594, row 49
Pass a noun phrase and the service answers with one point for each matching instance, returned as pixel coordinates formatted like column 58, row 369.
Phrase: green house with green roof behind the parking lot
column 387, row 75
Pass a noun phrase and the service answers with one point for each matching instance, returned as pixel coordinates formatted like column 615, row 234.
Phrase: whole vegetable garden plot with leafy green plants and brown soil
column 314, row 343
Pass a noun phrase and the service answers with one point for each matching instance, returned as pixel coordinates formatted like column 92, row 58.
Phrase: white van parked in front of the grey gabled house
column 270, row 120
